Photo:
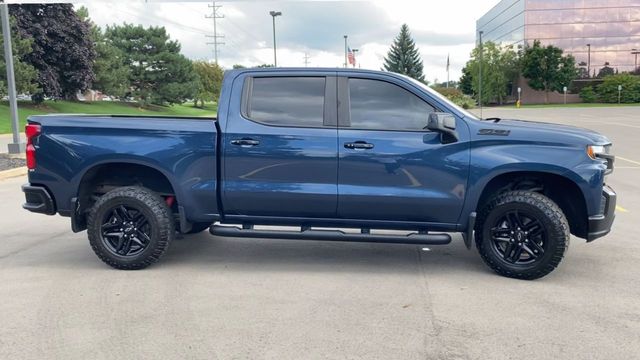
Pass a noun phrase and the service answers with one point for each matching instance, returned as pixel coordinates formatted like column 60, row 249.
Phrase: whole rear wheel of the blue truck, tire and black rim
column 130, row 228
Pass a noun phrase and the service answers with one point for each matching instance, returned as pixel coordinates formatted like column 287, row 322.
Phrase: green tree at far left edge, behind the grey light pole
column 25, row 74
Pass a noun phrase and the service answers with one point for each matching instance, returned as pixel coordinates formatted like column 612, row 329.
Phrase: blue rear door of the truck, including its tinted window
column 279, row 146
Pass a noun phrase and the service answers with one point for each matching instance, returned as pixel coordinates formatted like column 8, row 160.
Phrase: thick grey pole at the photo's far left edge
column 16, row 147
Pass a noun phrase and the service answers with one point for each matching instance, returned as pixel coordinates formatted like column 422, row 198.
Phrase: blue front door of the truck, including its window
column 389, row 167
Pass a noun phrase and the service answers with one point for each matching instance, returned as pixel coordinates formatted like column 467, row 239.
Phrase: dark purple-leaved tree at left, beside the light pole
column 62, row 50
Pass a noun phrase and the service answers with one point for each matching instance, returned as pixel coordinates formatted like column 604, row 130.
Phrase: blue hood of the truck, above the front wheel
column 566, row 133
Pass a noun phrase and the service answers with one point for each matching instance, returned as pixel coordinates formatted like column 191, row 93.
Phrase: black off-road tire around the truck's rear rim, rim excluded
column 158, row 216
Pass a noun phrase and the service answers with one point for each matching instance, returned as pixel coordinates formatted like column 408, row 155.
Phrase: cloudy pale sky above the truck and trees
column 314, row 28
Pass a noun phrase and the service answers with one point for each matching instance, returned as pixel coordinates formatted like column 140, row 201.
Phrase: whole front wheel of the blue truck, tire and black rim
column 522, row 234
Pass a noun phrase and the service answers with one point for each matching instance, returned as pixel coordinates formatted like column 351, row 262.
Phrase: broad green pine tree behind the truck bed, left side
column 158, row 73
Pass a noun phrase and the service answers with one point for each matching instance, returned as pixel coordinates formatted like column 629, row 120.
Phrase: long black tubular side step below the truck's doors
column 331, row 235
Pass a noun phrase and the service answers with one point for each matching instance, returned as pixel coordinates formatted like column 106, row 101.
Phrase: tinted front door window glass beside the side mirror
column 379, row 105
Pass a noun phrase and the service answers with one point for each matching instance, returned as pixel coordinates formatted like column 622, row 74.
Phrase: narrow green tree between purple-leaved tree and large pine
column 111, row 71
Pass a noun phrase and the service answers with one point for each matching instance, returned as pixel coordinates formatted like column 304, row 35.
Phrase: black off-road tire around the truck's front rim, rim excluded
column 546, row 211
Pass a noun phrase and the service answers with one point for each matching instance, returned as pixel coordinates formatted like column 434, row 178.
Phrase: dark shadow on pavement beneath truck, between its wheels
column 203, row 250
